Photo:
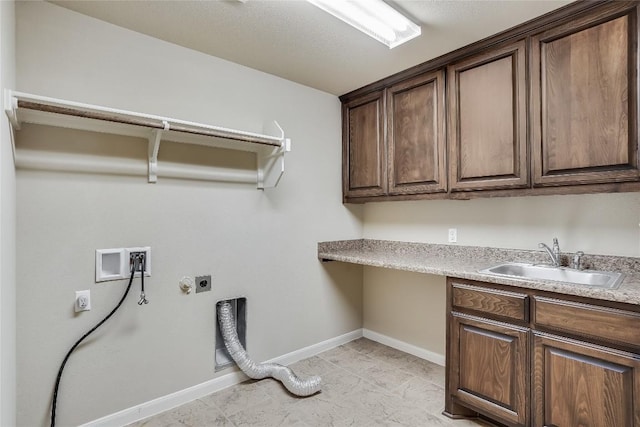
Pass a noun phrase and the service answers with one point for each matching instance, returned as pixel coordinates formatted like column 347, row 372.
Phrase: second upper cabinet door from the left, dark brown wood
column 416, row 132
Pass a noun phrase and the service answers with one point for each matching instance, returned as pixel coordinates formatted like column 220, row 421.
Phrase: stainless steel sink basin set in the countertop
column 593, row 278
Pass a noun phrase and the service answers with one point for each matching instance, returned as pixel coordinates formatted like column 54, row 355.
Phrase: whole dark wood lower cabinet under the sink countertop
column 542, row 365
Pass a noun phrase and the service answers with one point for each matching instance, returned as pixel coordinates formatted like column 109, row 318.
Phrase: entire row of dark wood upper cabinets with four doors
column 547, row 107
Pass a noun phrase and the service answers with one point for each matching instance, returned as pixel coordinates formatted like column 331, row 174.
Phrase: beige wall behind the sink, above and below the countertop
column 605, row 224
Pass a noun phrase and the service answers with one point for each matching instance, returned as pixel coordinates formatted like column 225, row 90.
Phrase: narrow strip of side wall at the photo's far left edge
column 7, row 227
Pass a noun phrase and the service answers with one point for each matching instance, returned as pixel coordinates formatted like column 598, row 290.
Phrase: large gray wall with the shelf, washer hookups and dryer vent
column 261, row 245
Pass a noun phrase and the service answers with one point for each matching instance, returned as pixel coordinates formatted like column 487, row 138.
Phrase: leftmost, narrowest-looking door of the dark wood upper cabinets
column 364, row 154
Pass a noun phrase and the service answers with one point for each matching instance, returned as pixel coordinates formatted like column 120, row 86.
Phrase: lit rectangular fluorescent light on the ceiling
column 374, row 18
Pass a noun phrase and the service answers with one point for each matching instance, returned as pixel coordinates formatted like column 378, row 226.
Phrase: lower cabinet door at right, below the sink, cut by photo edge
column 580, row 384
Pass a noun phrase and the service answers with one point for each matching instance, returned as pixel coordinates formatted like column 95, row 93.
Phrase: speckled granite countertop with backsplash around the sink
column 465, row 261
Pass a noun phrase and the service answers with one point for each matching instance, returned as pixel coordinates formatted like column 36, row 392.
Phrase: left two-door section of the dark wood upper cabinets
column 410, row 157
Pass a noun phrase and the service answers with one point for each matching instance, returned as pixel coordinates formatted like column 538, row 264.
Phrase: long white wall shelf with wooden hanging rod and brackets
column 270, row 147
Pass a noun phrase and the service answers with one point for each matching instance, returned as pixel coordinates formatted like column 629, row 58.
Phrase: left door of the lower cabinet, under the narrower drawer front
column 488, row 368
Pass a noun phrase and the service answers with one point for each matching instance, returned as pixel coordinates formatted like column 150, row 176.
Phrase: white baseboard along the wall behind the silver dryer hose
column 170, row 401
